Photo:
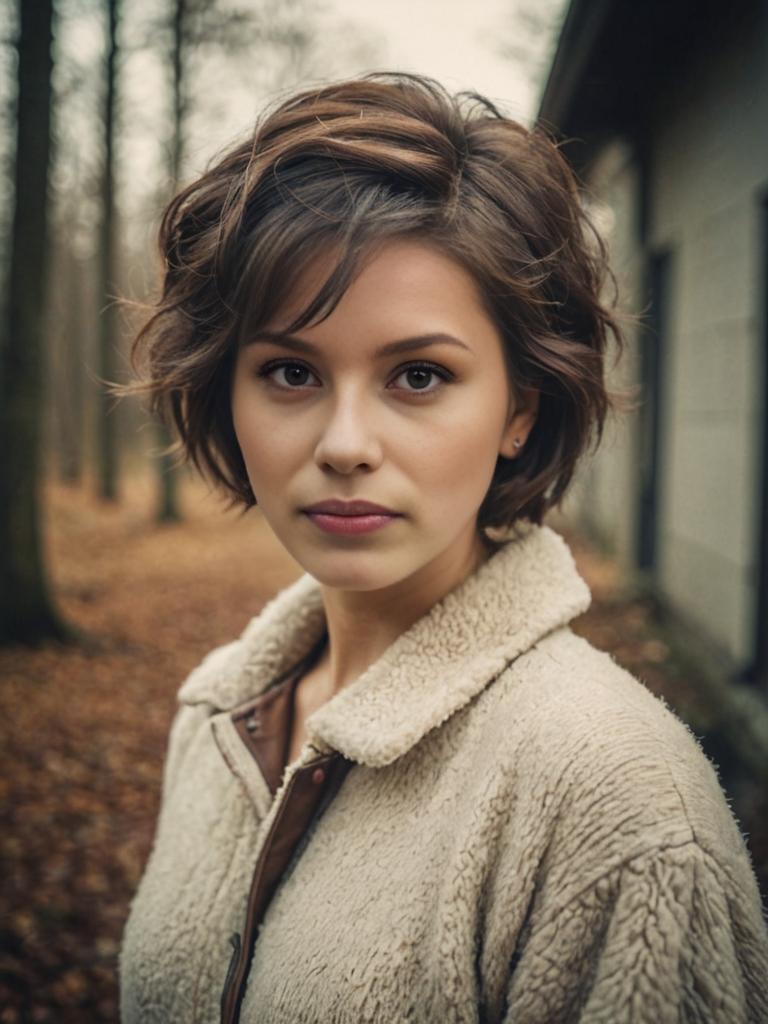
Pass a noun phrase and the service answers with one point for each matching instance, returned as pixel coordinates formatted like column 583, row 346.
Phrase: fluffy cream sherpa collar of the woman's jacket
column 527, row 589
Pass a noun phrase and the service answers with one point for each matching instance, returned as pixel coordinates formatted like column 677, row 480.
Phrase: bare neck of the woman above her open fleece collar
column 363, row 624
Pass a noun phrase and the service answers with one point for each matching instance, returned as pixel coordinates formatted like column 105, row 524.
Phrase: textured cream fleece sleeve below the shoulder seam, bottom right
column 666, row 938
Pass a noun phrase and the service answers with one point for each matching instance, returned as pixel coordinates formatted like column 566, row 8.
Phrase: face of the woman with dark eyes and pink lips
column 338, row 412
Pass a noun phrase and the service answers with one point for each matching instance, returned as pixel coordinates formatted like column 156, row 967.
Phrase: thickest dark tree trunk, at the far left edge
column 27, row 611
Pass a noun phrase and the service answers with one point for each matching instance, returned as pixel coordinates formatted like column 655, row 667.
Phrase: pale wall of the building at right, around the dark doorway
column 708, row 174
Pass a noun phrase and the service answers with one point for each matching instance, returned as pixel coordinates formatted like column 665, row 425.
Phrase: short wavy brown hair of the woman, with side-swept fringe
column 348, row 165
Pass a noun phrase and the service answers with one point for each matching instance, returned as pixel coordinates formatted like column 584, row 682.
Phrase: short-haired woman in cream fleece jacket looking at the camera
column 409, row 792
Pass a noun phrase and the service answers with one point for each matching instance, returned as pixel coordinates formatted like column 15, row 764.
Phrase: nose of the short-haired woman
column 349, row 440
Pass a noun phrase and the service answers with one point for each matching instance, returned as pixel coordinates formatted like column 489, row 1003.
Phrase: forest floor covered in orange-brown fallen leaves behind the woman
column 84, row 728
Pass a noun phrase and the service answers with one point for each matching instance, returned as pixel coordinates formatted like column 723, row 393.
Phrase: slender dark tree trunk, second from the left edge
column 108, row 454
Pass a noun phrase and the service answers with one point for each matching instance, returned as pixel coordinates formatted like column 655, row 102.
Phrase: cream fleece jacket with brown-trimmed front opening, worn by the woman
column 527, row 834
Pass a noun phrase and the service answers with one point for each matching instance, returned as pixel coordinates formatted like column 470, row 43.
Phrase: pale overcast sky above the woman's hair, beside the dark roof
column 459, row 42
